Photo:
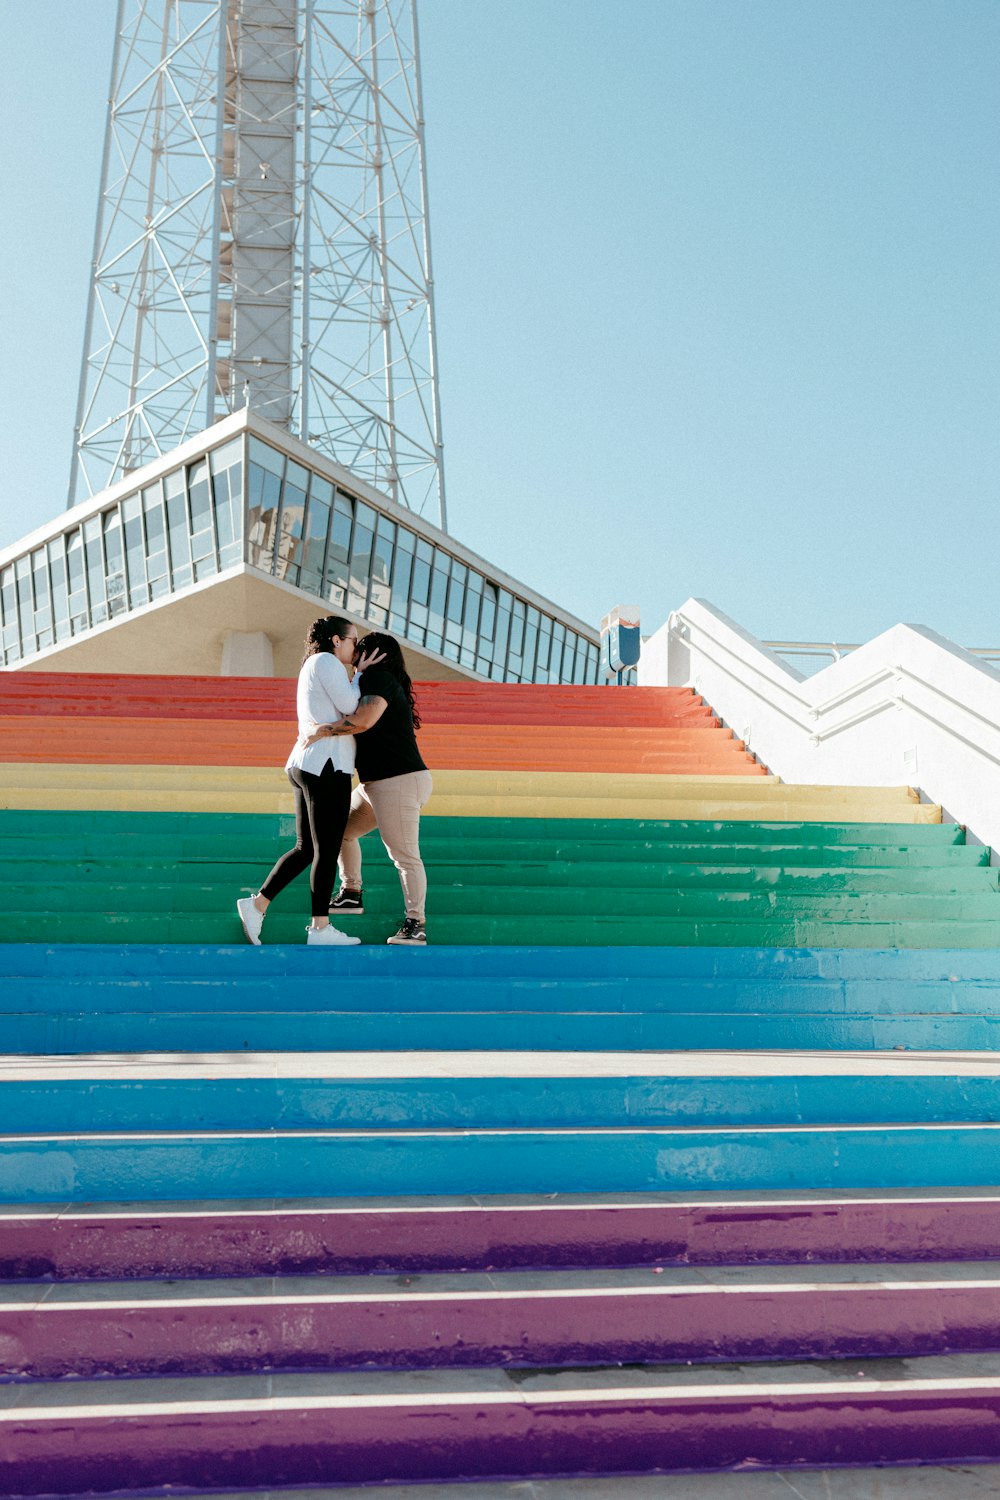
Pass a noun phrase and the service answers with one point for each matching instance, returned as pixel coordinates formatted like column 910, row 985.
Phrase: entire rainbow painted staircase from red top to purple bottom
column 677, row 1150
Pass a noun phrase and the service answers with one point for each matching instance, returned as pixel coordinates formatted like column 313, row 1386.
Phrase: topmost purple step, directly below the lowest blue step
column 437, row 1235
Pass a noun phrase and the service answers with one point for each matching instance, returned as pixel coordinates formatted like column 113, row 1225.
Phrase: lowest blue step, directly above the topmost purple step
column 328, row 1163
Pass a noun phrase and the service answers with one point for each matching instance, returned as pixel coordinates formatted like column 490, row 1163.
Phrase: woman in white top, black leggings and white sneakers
column 322, row 778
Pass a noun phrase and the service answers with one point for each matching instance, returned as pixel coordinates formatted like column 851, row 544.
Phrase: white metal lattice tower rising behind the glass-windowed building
column 263, row 241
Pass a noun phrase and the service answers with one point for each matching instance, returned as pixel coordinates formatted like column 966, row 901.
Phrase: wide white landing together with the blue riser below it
column 493, row 1091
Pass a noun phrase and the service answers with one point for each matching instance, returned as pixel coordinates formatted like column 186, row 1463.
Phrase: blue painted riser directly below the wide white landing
column 133, row 1102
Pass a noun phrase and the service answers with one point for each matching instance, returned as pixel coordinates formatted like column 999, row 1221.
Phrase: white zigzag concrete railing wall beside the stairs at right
column 906, row 709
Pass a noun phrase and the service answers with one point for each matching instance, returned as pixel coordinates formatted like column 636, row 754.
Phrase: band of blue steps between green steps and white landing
column 116, row 998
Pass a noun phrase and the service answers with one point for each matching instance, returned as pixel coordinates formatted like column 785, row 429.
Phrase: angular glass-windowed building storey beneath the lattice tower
column 250, row 503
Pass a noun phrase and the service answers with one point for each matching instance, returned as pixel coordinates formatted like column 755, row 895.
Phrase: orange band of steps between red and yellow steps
column 227, row 742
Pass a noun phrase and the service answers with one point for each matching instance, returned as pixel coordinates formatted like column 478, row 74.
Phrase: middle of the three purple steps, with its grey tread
column 503, row 1321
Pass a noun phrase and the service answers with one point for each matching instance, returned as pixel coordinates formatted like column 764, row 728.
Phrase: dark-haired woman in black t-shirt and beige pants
column 395, row 785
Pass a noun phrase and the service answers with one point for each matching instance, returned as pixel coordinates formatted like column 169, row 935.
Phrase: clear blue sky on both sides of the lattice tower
column 717, row 295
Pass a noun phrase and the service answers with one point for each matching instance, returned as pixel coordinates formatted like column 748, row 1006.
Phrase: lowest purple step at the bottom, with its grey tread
column 313, row 1430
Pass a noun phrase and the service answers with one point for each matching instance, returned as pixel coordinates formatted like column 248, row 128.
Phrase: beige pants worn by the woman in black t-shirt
column 394, row 808
